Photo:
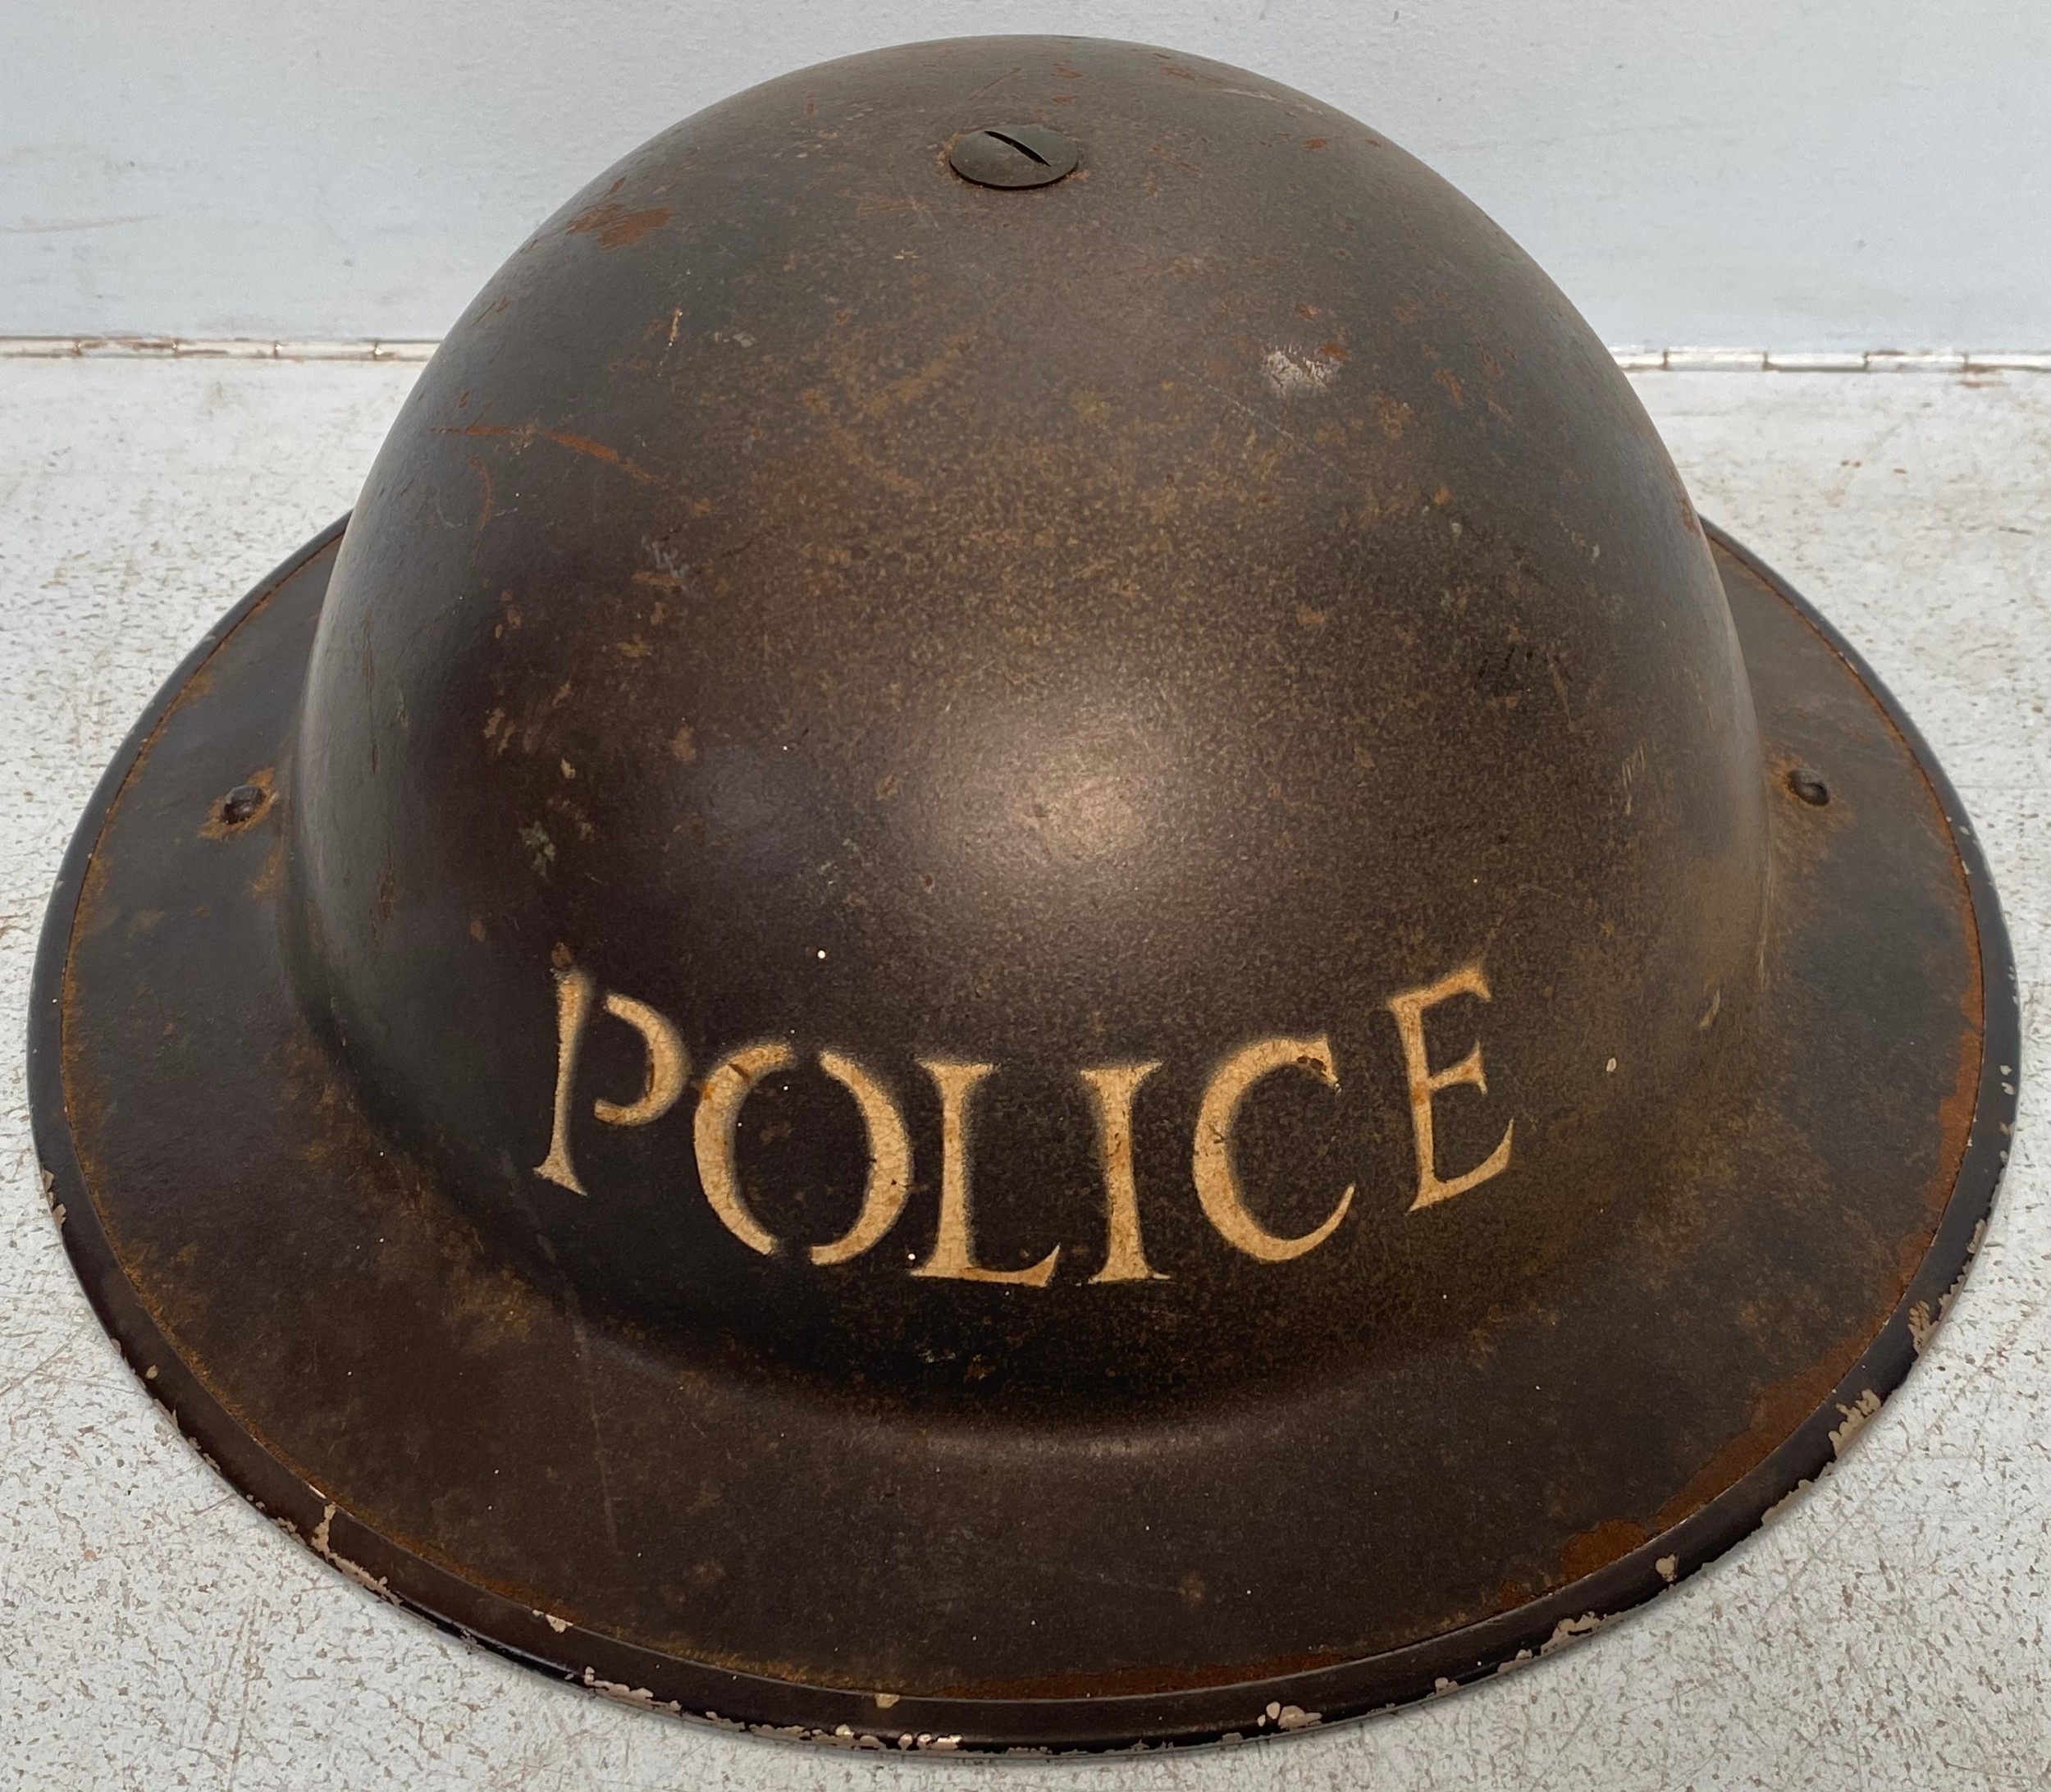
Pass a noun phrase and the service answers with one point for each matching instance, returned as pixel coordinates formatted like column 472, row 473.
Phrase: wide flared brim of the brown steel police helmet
column 327, row 1330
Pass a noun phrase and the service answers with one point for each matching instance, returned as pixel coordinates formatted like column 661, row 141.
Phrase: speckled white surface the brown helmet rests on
column 1888, row 1631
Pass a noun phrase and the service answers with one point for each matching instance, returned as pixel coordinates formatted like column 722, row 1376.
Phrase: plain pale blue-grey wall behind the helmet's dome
column 1771, row 173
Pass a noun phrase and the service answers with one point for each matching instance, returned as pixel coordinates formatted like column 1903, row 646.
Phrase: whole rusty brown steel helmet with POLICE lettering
column 1022, row 967
